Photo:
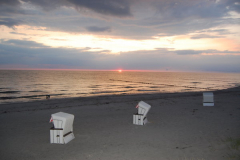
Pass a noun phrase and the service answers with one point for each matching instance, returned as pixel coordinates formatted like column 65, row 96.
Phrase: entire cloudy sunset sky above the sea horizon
column 150, row 35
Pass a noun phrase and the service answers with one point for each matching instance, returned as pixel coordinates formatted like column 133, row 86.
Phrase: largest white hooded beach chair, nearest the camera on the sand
column 62, row 130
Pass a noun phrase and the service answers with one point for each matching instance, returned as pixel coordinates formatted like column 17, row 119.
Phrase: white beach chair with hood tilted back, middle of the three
column 140, row 118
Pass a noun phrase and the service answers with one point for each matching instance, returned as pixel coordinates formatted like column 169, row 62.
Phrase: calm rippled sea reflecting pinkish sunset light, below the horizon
column 21, row 86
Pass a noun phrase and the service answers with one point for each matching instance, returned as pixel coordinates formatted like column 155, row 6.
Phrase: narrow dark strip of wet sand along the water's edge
column 143, row 96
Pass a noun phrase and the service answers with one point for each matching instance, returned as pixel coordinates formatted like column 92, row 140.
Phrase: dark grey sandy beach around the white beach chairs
column 179, row 128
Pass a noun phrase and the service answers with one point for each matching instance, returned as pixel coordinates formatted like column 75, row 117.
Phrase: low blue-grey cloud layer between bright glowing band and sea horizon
column 17, row 52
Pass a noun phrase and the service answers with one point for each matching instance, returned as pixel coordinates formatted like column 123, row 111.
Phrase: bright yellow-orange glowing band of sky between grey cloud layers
column 116, row 46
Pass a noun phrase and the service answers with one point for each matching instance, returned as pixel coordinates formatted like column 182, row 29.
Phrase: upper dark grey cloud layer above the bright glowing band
column 166, row 17
